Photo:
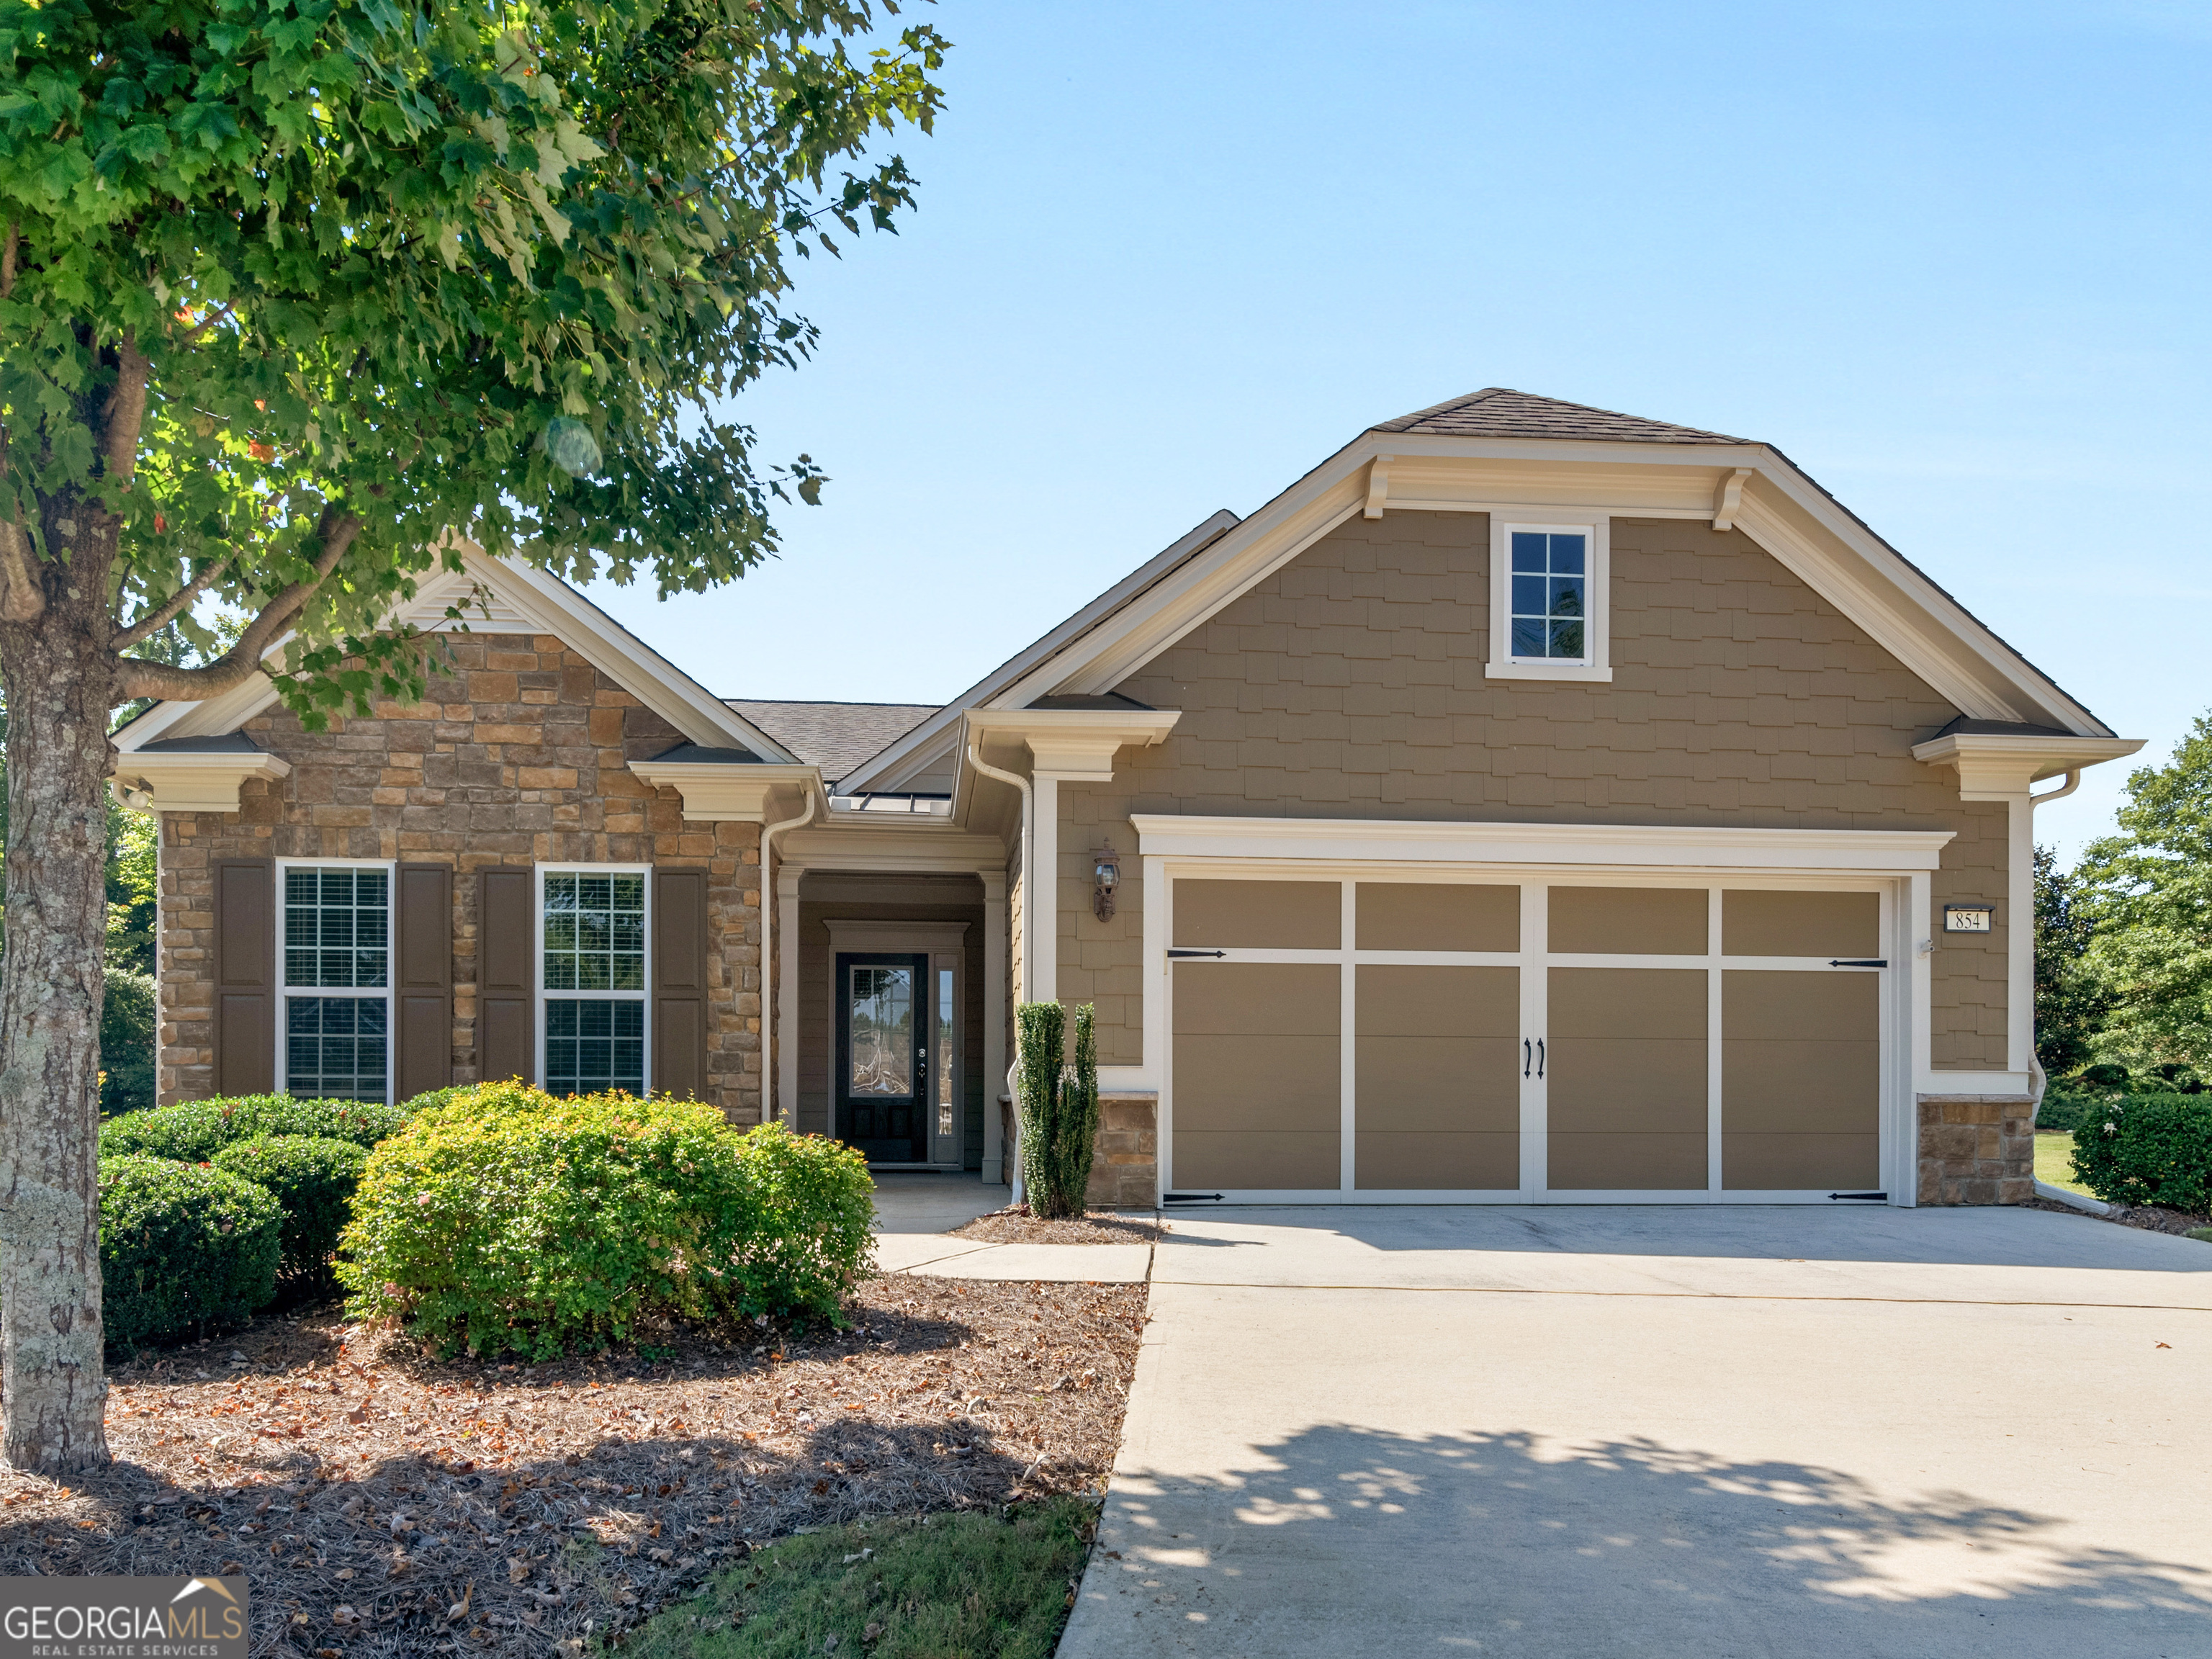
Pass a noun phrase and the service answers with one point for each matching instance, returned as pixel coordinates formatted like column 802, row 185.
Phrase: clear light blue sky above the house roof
column 1950, row 258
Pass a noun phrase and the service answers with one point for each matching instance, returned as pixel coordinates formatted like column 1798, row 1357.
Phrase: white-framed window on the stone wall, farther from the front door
column 335, row 1039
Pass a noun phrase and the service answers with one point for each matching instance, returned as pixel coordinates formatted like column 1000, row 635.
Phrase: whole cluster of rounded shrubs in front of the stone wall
column 483, row 1220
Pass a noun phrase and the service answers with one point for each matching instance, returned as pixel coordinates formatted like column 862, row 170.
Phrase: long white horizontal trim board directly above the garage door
column 1543, row 844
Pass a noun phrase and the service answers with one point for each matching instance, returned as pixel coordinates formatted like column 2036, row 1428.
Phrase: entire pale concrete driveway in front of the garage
column 1665, row 1432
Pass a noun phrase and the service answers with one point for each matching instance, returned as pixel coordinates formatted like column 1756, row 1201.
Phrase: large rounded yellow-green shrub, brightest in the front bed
column 510, row 1220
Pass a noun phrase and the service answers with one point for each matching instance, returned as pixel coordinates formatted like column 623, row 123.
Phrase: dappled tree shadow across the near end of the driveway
column 1503, row 1543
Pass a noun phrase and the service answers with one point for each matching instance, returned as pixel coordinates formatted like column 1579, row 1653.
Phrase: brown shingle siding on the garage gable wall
column 1350, row 685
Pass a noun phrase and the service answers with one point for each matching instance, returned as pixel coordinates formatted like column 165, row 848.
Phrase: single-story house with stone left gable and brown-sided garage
column 1530, row 804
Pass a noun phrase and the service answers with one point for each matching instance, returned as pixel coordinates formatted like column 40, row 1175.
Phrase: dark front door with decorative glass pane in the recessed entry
column 884, row 1056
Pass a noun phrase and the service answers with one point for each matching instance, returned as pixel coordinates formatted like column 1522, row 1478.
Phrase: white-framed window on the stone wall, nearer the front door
column 592, row 950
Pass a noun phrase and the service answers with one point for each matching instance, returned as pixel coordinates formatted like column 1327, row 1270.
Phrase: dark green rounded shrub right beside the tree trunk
column 182, row 1246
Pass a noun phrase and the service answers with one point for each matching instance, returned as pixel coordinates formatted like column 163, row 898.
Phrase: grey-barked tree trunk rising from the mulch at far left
column 61, row 685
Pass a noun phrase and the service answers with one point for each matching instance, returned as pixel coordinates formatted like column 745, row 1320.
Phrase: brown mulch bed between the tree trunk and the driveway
column 382, row 1503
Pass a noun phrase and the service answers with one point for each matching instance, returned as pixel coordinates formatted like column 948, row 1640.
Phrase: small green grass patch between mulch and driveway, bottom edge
column 979, row 1585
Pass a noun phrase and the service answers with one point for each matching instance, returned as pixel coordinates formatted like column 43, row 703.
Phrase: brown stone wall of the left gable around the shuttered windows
column 517, row 755
